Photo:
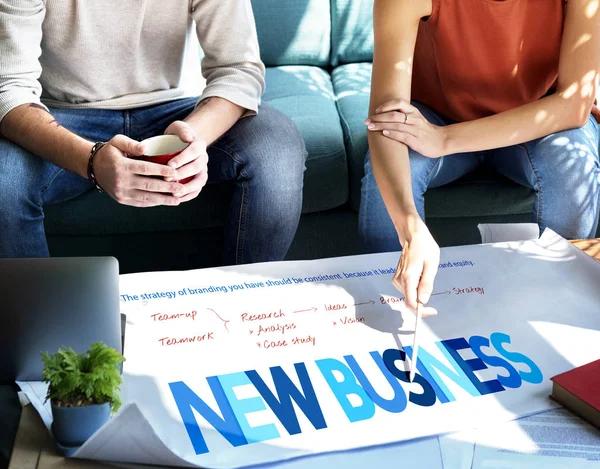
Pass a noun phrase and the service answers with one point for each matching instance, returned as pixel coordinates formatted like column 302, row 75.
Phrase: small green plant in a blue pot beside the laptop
column 83, row 391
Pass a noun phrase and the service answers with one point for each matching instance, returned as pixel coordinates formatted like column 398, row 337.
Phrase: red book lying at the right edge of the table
column 579, row 391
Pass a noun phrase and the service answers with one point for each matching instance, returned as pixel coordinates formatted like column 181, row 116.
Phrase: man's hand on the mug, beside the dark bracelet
column 133, row 182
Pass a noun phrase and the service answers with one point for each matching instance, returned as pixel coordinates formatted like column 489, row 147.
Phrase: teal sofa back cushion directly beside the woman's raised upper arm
column 351, row 31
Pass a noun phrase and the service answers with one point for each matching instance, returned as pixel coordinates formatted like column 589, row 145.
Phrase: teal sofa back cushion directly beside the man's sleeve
column 293, row 32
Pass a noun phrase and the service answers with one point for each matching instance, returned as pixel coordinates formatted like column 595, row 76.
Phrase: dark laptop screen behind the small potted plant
column 49, row 303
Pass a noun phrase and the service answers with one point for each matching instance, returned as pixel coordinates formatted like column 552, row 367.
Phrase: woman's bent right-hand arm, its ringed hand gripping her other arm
column 569, row 107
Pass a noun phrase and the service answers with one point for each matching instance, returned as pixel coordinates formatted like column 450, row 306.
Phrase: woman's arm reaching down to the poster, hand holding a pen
column 396, row 23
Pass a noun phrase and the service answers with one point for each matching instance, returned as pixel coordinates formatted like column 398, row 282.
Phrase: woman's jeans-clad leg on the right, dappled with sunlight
column 564, row 171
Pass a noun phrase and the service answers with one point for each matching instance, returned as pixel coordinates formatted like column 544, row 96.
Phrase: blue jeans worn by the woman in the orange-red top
column 563, row 169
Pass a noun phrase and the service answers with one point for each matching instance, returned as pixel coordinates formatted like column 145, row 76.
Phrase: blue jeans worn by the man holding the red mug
column 263, row 156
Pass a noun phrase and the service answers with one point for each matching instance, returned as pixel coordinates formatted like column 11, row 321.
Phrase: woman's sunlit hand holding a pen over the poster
column 417, row 268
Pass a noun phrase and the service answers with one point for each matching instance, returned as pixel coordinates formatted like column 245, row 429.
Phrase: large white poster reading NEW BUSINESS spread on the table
column 240, row 366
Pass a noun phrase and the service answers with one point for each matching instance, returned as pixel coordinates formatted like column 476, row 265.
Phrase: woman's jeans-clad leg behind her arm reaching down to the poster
column 377, row 231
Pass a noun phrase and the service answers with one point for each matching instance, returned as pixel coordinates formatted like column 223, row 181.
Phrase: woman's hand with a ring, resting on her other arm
column 400, row 121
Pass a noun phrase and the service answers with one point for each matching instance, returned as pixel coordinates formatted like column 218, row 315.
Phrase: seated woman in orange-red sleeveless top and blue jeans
column 508, row 83
